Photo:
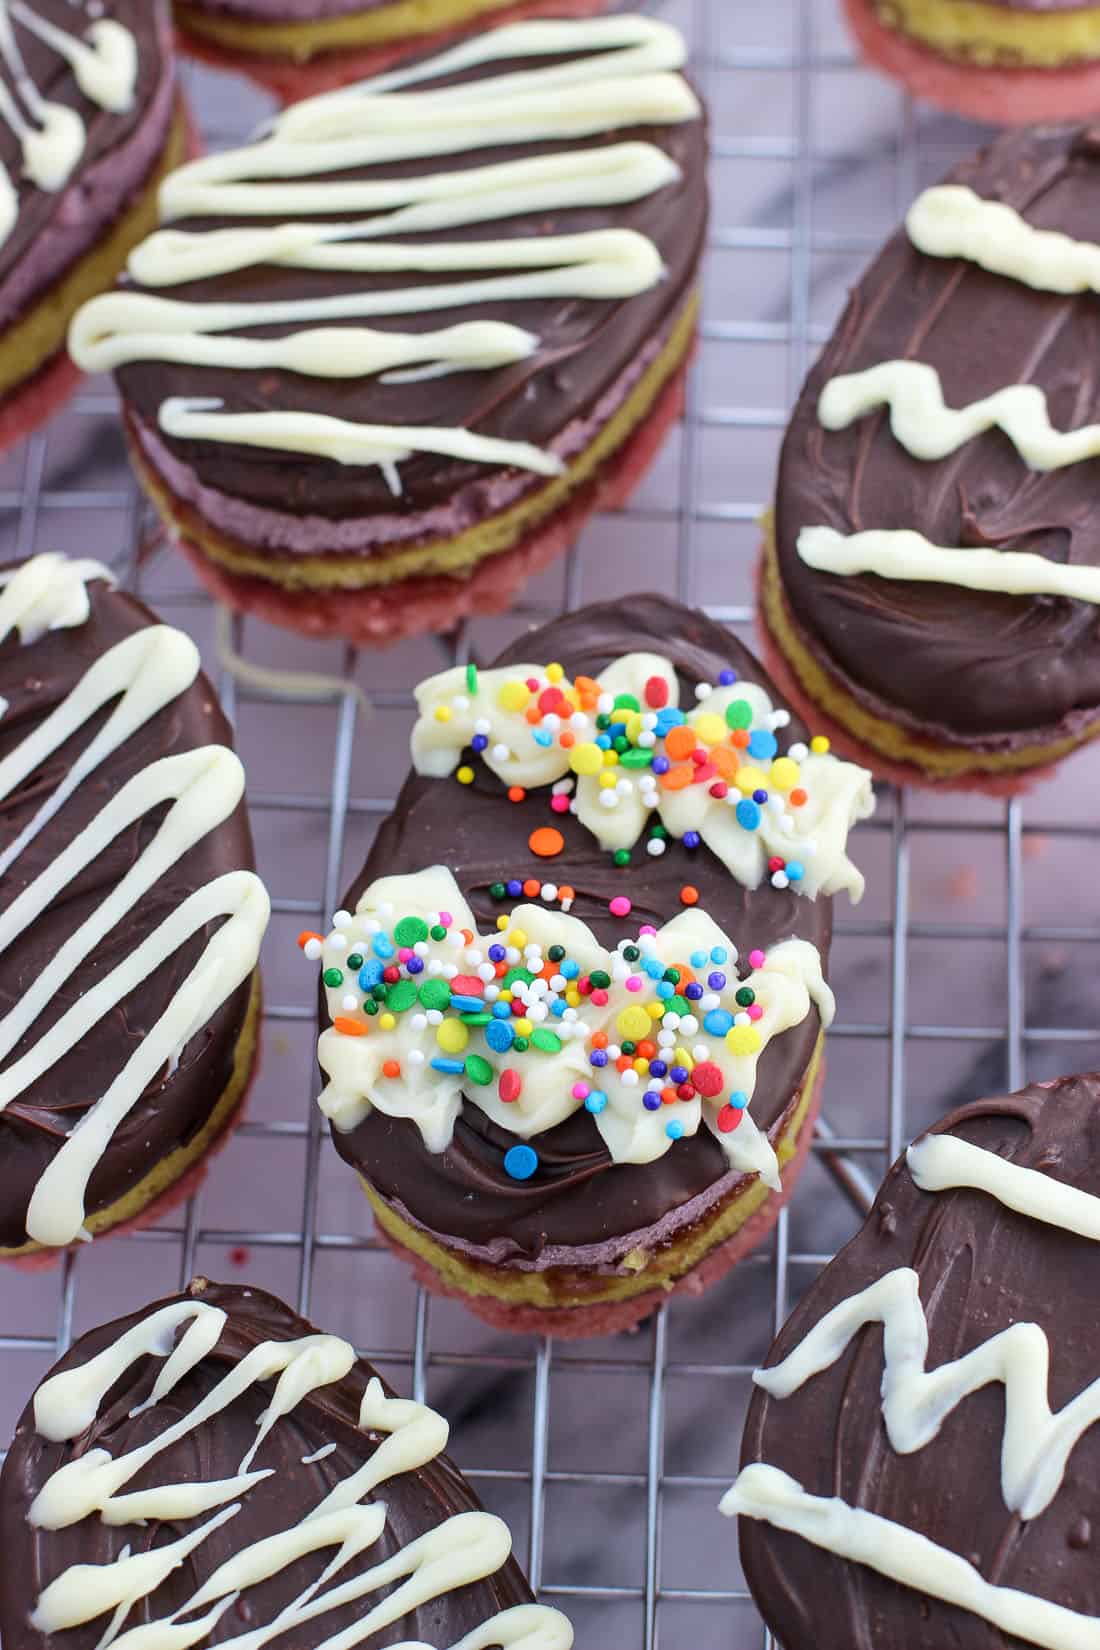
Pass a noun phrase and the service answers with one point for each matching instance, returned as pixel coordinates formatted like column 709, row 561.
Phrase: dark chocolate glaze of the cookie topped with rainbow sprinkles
column 580, row 1195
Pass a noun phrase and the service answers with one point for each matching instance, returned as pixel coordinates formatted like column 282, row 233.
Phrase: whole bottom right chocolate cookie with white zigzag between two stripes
column 951, row 1501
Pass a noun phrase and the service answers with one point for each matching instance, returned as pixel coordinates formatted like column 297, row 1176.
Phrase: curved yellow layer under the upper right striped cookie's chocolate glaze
column 938, row 761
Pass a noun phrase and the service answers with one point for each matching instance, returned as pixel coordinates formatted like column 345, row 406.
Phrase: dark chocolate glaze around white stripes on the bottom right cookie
column 982, row 1268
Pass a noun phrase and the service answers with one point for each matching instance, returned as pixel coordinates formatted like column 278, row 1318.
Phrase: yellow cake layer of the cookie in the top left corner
column 40, row 334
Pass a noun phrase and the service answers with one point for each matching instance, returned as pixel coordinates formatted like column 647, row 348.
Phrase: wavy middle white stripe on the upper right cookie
column 929, row 430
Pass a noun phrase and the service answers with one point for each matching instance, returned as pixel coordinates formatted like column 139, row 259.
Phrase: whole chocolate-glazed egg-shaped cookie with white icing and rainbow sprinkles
column 601, row 1227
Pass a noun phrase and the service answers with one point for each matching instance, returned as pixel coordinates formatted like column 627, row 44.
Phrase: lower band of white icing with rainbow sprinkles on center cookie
column 444, row 1027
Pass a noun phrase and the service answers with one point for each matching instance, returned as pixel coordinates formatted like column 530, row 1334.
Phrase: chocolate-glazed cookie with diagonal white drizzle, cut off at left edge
column 129, row 913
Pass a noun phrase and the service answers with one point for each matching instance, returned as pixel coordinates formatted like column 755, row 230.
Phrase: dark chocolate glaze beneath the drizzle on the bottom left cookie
column 416, row 1502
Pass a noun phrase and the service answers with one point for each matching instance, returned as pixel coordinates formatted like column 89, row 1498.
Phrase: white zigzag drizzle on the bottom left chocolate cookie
column 464, row 1549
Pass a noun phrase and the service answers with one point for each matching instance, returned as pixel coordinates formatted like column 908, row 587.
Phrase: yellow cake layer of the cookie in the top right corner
column 994, row 35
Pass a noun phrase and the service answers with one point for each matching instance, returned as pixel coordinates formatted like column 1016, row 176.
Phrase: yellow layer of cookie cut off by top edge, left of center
column 301, row 42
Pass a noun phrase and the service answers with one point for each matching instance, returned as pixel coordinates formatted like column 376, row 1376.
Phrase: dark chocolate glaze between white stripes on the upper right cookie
column 949, row 662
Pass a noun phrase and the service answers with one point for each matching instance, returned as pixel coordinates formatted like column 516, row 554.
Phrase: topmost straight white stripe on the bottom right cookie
column 946, row 1162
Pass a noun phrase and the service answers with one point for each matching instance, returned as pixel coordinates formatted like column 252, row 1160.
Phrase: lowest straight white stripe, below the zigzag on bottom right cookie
column 906, row 1557
